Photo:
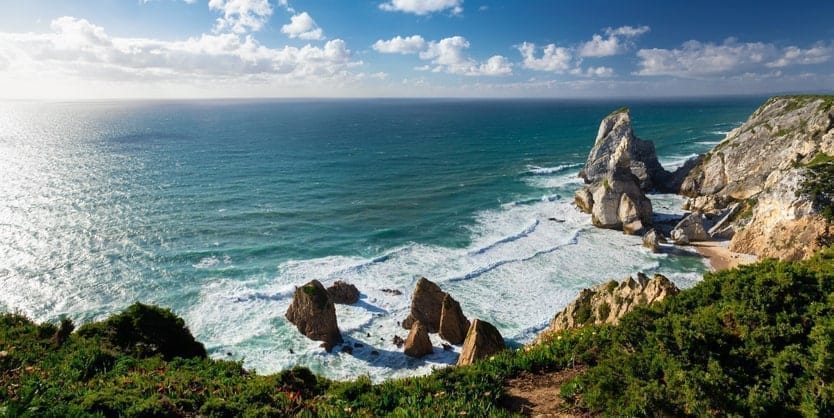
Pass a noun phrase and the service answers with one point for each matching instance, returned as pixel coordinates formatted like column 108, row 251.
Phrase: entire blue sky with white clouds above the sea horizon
column 103, row 49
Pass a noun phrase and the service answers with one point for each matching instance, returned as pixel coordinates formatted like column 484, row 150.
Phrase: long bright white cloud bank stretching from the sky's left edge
column 80, row 49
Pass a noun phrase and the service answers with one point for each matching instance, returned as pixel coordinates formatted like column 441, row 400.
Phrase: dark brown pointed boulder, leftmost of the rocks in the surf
column 314, row 314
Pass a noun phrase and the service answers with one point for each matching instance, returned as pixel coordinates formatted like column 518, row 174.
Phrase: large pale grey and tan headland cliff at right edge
column 759, row 166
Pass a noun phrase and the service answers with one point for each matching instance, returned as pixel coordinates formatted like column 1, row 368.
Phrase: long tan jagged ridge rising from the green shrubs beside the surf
column 608, row 302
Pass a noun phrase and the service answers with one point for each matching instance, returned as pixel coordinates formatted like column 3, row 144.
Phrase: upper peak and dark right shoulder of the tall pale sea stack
column 615, row 146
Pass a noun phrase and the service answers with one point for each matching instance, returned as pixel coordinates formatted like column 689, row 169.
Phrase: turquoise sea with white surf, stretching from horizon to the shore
column 218, row 209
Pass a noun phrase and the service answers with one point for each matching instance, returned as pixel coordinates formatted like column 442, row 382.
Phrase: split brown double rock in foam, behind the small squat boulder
column 437, row 311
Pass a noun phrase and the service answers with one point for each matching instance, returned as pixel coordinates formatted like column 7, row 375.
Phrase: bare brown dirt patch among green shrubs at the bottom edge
column 538, row 394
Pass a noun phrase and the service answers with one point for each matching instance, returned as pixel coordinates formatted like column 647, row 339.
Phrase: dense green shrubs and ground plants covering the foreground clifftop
column 755, row 341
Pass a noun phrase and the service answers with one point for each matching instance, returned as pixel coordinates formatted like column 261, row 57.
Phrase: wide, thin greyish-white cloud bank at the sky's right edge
column 697, row 59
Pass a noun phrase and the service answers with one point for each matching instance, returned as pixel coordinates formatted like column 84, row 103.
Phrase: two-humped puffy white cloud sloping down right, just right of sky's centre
column 448, row 55
